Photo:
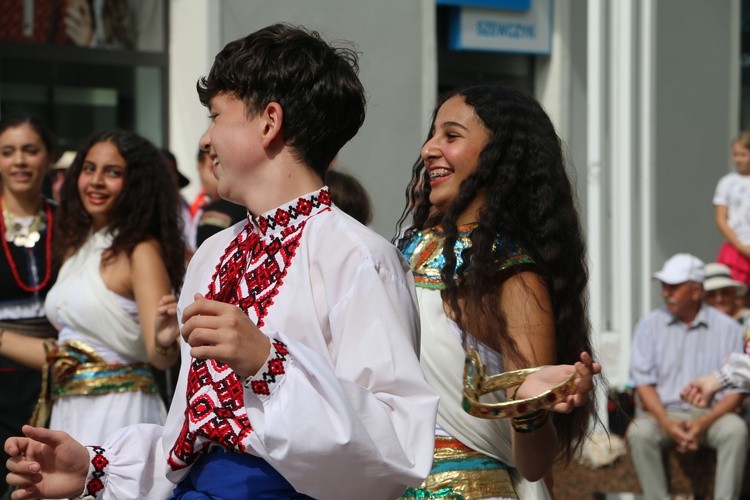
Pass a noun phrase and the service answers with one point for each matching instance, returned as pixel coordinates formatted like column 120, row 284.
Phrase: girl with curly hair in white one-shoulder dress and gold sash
column 118, row 236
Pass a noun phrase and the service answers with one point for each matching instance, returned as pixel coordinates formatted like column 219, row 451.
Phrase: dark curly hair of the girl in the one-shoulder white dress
column 148, row 206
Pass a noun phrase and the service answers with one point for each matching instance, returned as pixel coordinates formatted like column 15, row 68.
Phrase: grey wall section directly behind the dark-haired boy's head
column 389, row 33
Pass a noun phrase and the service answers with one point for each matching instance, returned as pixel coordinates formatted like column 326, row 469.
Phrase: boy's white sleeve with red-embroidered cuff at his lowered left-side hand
column 131, row 465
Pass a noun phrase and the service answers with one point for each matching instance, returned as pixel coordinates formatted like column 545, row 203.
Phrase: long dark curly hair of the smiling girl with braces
column 530, row 201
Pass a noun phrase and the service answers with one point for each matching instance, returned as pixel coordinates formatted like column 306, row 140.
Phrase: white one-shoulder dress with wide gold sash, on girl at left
column 99, row 376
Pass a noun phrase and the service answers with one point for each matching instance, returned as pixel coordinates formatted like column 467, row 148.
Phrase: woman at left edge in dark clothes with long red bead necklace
column 26, row 269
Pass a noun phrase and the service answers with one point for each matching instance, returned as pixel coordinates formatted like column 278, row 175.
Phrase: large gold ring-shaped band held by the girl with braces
column 477, row 384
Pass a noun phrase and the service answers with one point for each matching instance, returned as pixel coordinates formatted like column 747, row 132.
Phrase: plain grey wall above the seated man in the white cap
column 692, row 131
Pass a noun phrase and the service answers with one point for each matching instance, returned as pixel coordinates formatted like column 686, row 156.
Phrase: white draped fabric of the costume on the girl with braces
column 442, row 360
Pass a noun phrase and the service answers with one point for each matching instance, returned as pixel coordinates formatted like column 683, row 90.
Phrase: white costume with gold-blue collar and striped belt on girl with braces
column 473, row 456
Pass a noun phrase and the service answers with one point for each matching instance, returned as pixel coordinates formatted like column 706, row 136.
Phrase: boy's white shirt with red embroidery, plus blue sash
column 340, row 409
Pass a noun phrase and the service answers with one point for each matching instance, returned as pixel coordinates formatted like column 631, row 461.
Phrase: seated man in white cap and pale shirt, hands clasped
column 671, row 347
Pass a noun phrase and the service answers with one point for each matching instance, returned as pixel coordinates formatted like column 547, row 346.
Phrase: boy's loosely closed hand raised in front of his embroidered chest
column 220, row 331
